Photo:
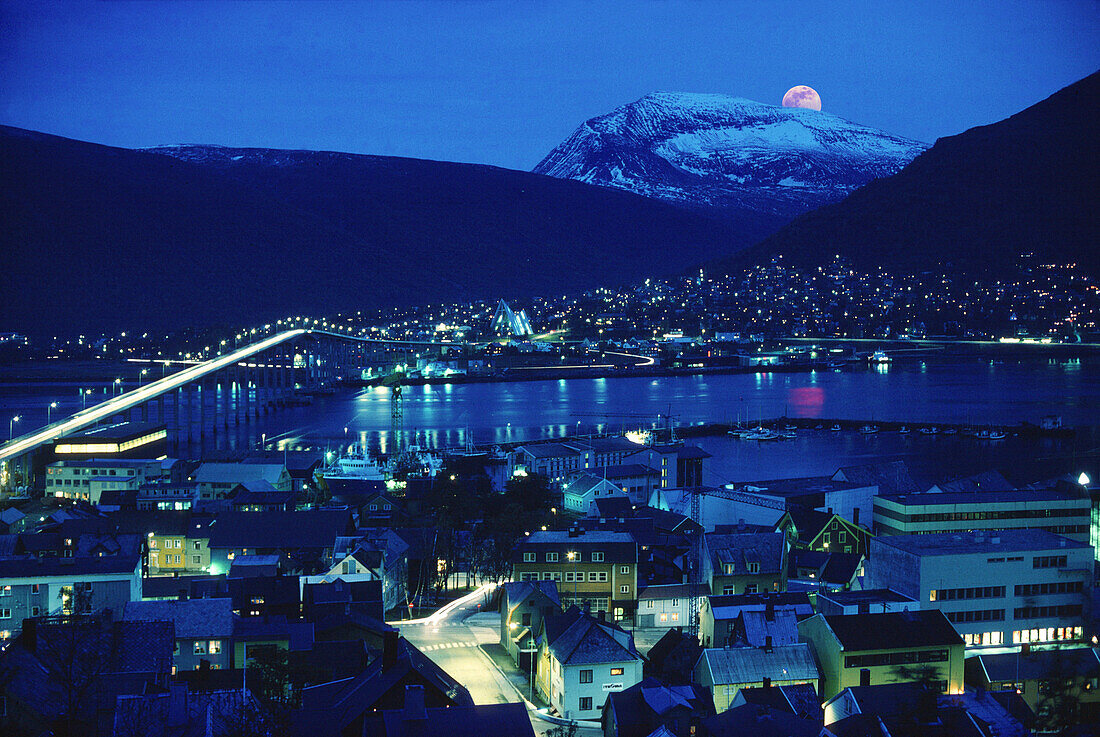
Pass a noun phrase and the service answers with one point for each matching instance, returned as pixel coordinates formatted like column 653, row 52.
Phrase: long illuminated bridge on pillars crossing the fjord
column 246, row 382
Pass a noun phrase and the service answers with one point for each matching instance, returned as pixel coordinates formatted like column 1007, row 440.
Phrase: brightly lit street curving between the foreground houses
column 450, row 637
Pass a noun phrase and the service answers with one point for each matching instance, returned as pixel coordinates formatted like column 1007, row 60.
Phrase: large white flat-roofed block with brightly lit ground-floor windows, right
column 999, row 589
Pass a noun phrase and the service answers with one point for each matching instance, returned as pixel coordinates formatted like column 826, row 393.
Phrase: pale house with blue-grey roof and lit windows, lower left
column 204, row 630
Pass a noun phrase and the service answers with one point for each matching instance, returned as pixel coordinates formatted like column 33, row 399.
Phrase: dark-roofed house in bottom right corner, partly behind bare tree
column 1060, row 684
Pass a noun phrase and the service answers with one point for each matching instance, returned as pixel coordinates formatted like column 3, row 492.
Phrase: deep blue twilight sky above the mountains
column 503, row 83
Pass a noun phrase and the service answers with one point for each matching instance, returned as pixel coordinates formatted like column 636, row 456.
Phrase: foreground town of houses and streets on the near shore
column 588, row 585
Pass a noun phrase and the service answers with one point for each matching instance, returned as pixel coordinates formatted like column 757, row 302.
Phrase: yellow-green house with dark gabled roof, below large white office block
column 870, row 650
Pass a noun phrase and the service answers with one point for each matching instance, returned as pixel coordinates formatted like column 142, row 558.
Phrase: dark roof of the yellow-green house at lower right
column 893, row 631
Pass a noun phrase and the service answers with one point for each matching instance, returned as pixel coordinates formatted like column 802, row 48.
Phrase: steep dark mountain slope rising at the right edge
column 975, row 201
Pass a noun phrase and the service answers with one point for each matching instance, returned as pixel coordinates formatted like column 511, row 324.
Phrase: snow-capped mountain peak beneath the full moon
column 729, row 153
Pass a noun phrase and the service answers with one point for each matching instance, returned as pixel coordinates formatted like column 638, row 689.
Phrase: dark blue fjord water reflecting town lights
column 948, row 390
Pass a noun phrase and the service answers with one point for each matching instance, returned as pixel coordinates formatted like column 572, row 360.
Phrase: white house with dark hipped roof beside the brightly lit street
column 581, row 659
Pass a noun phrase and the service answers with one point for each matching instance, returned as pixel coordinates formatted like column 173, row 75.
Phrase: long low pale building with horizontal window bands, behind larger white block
column 1063, row 510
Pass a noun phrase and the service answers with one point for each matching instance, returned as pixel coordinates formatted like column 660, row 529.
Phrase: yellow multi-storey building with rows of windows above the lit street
column 597, row 569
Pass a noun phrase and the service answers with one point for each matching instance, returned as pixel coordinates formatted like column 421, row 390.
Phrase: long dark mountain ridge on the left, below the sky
column 102, row 239
